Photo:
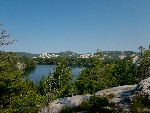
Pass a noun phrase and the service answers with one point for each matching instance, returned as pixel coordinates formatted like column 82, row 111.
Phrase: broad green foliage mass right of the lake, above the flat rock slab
column 103, row 74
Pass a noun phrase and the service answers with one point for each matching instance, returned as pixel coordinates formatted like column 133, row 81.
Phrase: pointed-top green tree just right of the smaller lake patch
column 92, row 79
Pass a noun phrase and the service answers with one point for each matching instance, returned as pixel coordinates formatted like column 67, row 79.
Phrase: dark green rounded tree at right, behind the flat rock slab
column 125, row 72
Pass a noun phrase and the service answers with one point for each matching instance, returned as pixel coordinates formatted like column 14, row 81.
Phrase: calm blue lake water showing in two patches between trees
column 37, row 73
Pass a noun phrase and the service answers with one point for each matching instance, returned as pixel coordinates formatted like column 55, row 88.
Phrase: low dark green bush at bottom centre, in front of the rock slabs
column 93, row 105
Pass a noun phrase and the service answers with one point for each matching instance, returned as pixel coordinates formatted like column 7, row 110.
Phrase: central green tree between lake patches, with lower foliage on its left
column 57, row 84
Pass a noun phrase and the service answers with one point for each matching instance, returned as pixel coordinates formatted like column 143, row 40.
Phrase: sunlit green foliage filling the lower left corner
column 18, row 94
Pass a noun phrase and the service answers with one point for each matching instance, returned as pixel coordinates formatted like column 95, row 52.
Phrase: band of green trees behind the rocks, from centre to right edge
column 101, row 74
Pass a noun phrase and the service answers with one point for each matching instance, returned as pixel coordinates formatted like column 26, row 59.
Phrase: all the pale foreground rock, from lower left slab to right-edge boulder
column 122, row 96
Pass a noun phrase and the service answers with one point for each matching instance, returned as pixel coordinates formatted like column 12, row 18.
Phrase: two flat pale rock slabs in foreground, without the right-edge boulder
column 119, row 93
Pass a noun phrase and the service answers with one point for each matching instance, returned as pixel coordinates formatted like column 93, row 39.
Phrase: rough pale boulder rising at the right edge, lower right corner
column 143, row 88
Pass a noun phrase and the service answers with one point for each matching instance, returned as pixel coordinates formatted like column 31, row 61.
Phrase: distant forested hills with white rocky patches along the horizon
column 68, row 54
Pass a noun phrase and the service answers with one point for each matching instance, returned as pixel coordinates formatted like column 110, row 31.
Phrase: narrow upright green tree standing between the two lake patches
column 62, row 79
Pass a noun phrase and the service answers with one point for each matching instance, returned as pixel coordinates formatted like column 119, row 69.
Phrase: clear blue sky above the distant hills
column 81, row 26
